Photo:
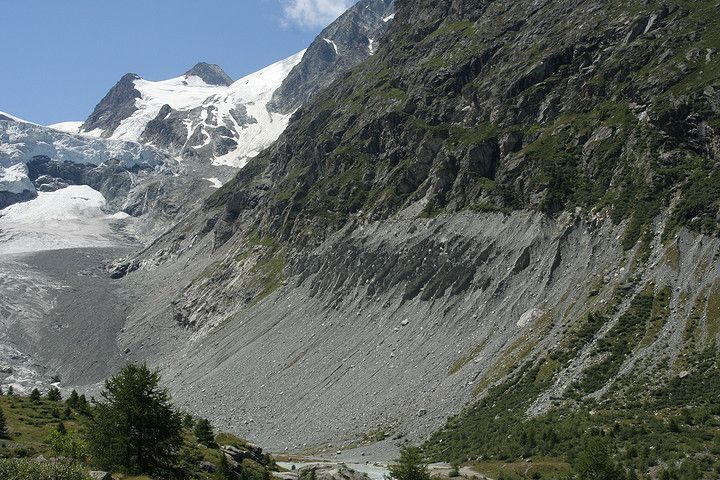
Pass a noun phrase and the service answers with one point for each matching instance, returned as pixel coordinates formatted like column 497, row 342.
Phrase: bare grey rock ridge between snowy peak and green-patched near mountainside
column 342, row 45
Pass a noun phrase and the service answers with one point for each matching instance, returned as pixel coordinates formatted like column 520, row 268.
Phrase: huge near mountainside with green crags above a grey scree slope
column 511, row 202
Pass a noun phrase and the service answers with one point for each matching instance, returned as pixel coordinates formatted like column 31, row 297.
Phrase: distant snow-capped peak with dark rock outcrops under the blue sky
column 201, row 113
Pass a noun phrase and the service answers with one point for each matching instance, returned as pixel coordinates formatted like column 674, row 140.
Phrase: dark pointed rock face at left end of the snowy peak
column 116, row 106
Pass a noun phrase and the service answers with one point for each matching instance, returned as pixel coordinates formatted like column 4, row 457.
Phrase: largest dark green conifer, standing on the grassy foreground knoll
column 134, row 429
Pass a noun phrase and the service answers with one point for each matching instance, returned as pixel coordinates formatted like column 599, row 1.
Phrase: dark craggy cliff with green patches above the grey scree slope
column 493, row 105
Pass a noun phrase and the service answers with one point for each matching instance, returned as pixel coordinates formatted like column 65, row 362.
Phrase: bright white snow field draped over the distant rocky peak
column 189, row 92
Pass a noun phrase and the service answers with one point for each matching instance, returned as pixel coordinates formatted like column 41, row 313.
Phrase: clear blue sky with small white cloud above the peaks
column 60, row 57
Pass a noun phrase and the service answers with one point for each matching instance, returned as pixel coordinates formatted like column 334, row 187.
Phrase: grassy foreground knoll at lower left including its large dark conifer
column 133, row 431
